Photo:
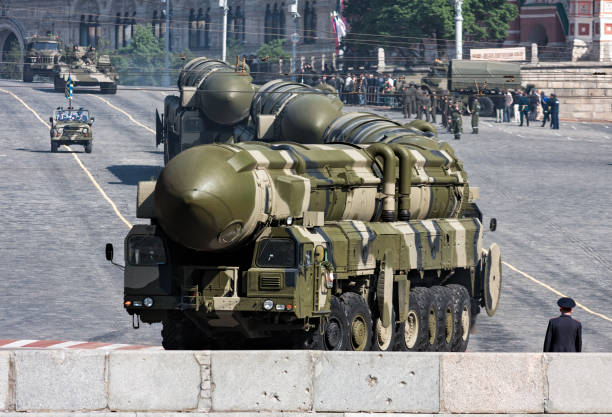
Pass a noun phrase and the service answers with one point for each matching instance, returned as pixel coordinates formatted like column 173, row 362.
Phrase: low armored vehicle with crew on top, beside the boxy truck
column 86, row 68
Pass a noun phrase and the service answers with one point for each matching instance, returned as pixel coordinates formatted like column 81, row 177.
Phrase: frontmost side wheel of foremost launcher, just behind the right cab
column 331, row 333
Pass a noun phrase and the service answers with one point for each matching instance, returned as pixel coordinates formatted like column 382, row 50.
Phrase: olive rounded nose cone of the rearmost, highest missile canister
column 225, row 97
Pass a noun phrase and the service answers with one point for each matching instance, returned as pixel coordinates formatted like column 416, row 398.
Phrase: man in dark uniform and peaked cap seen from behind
column 564, row 334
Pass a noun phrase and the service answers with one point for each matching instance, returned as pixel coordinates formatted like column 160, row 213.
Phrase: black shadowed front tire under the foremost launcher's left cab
column 180, row 333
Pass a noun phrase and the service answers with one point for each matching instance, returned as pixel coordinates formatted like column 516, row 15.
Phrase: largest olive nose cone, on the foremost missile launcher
column 202, row 202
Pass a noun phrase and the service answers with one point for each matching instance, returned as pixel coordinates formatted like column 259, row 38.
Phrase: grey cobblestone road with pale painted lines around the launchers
column 550, row 191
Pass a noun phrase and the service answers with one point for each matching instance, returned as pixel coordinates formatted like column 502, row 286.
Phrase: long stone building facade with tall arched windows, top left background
column 194, row 24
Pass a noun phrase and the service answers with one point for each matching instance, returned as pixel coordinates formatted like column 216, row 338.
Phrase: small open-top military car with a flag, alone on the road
column 71, row 127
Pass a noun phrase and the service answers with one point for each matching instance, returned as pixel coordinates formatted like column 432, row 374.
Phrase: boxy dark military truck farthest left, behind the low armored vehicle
column 42, row 54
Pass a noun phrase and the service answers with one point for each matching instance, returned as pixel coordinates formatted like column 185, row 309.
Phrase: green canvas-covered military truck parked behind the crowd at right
column 465, row 78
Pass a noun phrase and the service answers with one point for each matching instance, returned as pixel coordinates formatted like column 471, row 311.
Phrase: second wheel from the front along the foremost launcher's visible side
column 359, row 321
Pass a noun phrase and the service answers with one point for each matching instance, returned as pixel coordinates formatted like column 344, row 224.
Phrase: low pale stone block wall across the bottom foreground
column 300, row 383
